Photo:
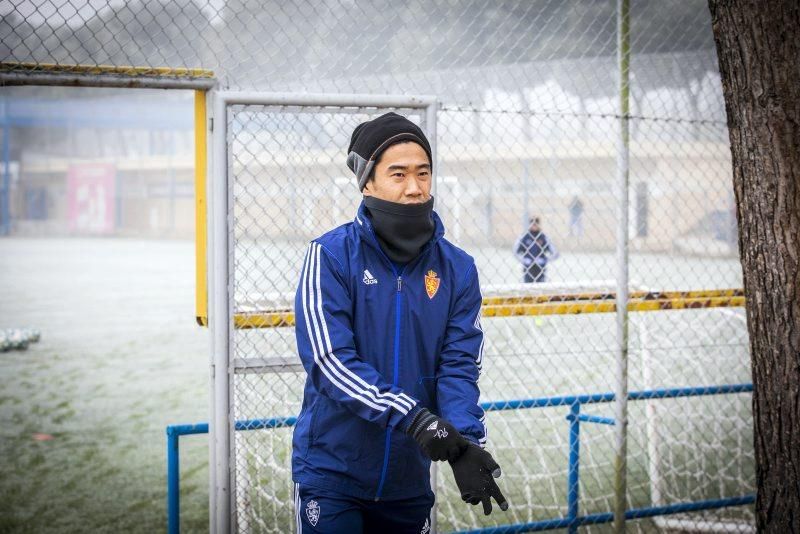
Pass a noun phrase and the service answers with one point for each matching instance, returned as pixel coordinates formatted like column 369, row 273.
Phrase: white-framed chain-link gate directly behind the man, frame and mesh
column 279, row 180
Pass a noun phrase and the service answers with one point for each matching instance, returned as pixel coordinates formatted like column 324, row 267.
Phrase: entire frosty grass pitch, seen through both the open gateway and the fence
column 121, row 357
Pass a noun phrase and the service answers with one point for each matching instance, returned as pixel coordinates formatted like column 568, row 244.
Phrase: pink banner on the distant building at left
column 90, row 194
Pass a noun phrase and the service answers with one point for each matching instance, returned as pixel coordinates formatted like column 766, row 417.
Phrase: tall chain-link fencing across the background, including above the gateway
column 527, row 127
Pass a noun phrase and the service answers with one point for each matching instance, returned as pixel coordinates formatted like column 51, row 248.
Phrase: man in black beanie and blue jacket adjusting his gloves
column 388, row 329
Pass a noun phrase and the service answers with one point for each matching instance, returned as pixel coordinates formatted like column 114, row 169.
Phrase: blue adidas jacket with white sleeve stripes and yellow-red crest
column 378, row 343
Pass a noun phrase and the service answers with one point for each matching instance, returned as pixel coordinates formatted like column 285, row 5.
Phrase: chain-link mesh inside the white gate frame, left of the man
column 283, row 167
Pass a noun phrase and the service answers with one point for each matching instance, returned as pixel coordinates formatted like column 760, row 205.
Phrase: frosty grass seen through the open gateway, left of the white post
column 120, row 358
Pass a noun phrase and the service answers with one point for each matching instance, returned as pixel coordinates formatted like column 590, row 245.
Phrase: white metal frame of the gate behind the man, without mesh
column 222, row 512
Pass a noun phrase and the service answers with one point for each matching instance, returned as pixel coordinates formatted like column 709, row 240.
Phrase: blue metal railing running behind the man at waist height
column 571, row 522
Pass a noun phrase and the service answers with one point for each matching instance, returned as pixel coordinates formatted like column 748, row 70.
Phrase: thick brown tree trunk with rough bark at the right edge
column 758, row 46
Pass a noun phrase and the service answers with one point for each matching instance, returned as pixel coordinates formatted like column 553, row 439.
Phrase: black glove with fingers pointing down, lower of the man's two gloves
column 473, row 471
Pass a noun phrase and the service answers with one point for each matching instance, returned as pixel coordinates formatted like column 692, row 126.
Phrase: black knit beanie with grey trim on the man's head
column 371, row 138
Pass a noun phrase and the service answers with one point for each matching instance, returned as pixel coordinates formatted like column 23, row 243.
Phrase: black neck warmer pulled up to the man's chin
column 402, row 229
